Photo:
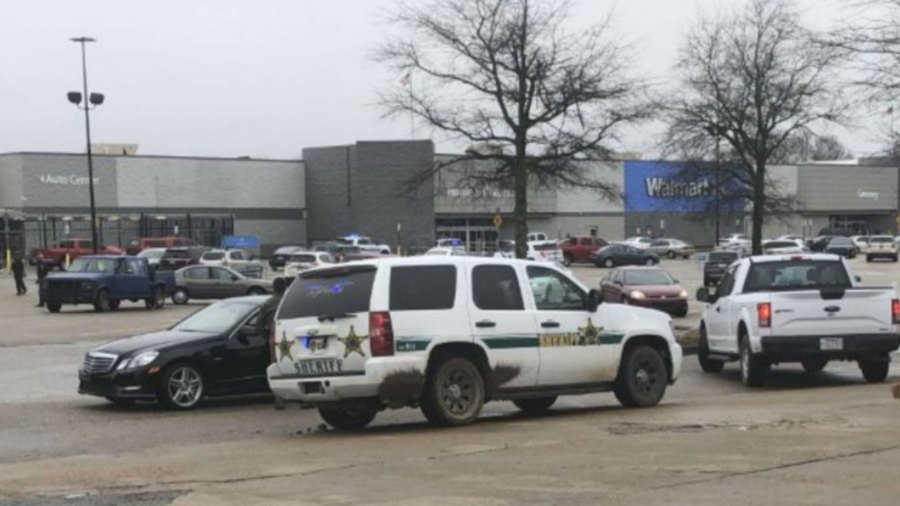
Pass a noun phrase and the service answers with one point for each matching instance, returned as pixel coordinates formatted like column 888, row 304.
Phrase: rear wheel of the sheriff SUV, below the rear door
column 454, row 393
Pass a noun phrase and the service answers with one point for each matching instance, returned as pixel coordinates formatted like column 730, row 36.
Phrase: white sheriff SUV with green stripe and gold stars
column 448, row 334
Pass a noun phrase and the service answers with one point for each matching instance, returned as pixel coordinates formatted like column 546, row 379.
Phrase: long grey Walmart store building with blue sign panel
column 360, row 188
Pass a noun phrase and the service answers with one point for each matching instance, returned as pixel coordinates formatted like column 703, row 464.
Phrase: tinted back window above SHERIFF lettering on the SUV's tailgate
column 329, row 292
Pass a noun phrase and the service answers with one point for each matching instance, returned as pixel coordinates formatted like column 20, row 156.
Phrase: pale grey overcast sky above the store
column 256, row 77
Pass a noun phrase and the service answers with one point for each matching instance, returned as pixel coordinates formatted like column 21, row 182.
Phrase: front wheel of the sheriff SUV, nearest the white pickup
column 642, row 378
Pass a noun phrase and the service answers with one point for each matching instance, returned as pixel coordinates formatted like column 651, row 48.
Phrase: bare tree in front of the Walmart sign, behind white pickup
column 752, row 78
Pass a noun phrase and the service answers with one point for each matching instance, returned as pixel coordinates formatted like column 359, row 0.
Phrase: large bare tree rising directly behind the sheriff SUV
column 506, row 75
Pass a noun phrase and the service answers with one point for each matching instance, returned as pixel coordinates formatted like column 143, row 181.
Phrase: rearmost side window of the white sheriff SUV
column 423, row 288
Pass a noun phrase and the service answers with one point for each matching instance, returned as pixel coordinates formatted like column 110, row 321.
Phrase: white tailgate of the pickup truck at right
column 810, row 313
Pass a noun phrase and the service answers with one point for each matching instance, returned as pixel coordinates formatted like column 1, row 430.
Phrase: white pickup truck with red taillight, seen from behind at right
column 798, row 308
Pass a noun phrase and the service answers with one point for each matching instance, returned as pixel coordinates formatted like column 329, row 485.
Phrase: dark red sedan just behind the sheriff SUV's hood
column 651, row 287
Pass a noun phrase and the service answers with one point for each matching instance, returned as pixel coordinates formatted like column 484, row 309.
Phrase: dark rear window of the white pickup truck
column 796, row 275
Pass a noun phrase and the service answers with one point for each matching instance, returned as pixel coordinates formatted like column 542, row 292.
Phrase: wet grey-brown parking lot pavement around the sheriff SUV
column 804, row 439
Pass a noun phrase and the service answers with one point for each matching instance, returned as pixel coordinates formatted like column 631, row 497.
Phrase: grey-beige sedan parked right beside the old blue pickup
column 204, row 282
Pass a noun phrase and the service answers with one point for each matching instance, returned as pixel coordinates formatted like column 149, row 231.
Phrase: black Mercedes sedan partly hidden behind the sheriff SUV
column 223, row 349
